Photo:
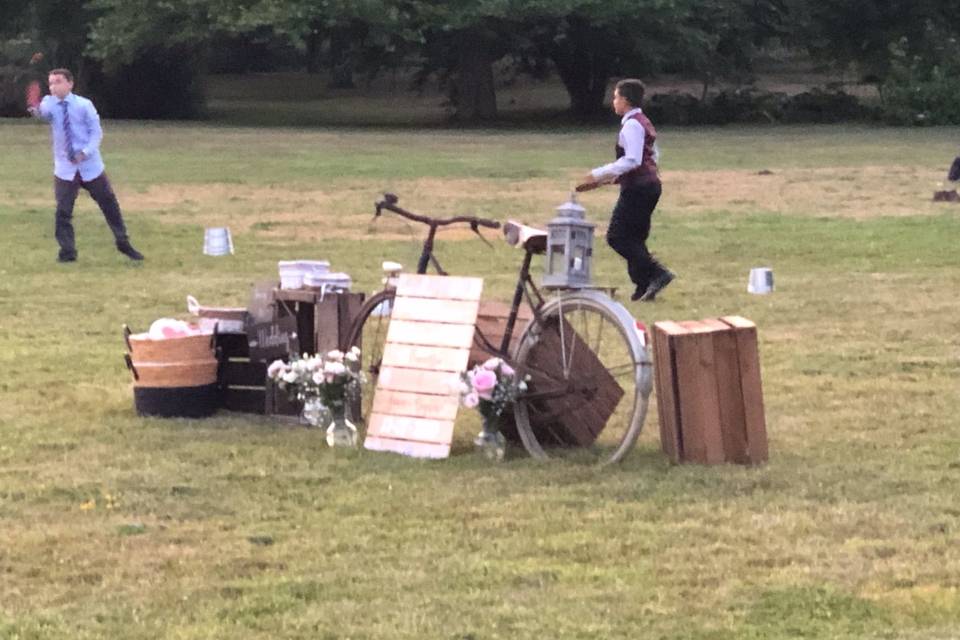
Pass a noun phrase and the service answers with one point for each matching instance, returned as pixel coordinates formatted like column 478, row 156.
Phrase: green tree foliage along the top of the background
column 145, row 58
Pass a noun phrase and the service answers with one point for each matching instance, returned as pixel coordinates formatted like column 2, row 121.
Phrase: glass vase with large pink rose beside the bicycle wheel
column 490, row 387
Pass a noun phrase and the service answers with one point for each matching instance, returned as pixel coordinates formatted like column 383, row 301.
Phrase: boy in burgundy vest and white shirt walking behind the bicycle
column 635, row 170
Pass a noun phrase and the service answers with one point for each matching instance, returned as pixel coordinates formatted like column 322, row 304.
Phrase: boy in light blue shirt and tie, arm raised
column 76, row 134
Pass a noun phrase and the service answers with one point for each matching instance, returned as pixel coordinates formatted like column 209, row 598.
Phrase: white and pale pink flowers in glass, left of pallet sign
column 326, row 385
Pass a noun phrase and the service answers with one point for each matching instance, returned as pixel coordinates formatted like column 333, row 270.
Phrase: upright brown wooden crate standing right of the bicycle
column 709, row 395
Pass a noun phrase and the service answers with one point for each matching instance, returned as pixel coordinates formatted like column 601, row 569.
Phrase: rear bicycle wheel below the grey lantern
column 590, row 379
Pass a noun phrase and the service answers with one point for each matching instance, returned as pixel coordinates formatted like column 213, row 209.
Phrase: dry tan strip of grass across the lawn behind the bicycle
column 346, row 208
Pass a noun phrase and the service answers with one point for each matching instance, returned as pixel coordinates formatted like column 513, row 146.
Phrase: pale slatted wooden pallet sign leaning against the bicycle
column 428, row 345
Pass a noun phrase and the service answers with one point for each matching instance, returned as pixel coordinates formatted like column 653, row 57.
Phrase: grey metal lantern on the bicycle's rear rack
column 569, row 247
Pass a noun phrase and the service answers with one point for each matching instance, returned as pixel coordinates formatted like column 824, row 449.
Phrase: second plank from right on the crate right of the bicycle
column 729, row 392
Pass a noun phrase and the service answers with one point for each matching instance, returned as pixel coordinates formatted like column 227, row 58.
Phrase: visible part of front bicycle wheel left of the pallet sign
column 369, row 333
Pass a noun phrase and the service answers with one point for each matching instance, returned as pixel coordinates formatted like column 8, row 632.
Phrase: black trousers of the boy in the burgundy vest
column 629, row 229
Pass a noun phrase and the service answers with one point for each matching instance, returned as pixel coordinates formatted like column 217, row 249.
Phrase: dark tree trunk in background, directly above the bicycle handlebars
column 474, row 94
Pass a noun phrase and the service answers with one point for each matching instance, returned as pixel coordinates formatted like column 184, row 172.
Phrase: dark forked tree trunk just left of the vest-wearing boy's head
column 584, row 64
